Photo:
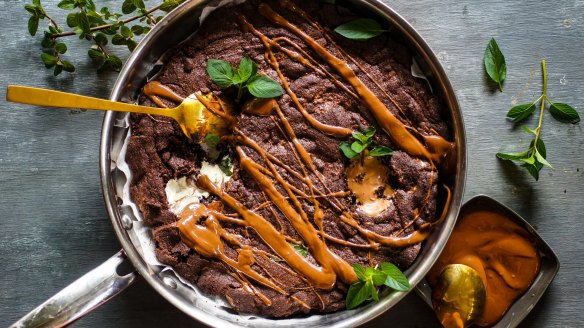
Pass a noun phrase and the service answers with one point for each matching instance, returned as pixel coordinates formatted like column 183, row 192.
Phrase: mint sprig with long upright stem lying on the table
column 534, row 158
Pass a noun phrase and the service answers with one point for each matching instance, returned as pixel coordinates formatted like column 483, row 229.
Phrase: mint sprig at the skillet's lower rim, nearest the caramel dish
column 370, row 278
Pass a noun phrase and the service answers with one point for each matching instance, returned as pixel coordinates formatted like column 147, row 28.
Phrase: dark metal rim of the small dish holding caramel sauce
column 548, row 269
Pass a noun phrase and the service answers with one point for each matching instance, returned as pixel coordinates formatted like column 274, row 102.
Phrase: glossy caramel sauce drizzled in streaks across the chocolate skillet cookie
column 200, row 226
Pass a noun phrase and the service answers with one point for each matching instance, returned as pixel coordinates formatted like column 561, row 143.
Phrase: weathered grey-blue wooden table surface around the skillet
column 53, row 222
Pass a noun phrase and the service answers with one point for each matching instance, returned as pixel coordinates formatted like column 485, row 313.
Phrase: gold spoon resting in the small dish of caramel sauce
column 459, row 296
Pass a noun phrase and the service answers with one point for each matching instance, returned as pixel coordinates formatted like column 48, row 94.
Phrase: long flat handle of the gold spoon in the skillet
column 52, row 98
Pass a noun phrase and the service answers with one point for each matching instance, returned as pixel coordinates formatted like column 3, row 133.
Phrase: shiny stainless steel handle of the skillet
column 81, row 297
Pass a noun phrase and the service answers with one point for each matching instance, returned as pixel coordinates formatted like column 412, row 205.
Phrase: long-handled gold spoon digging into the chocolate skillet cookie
column 198, row 114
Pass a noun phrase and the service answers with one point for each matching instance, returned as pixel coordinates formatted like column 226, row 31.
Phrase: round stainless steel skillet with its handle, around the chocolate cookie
column 104, row 282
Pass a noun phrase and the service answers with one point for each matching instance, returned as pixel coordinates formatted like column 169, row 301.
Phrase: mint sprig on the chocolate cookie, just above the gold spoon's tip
column 244, row 77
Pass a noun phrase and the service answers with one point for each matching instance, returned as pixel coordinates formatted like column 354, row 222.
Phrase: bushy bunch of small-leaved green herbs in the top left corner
column 103, row 29
